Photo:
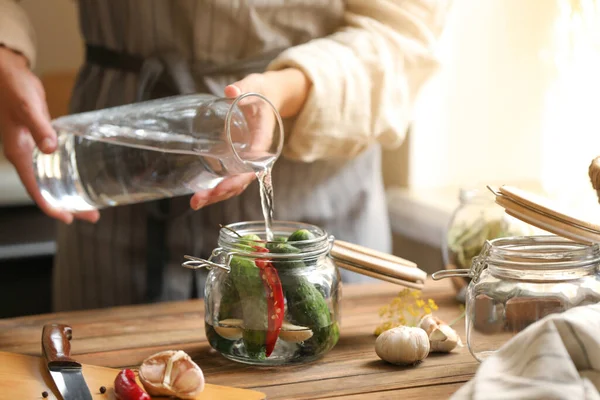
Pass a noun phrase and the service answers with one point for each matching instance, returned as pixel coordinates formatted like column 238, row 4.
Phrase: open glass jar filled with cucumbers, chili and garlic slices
column 241, row 301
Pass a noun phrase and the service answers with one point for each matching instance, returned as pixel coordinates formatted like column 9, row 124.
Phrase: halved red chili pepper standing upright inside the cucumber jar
column 275, row 303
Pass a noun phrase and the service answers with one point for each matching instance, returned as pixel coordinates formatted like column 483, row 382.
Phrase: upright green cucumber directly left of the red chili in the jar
column 247, row 281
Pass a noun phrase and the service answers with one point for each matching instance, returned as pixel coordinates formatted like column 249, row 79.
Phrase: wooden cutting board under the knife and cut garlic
column 26, row 377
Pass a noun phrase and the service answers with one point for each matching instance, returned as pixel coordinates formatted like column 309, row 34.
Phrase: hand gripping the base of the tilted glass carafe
column 25, row 123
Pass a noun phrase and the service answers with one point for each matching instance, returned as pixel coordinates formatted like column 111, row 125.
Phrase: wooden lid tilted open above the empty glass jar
column 544, row 214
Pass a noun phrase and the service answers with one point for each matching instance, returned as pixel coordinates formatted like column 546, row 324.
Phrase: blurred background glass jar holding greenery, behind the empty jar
column 476, row 220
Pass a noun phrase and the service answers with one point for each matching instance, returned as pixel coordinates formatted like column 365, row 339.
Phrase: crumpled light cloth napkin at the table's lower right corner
column 557, row 357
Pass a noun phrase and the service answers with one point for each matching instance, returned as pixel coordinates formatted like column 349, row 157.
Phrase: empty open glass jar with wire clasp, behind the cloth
column 516, row 281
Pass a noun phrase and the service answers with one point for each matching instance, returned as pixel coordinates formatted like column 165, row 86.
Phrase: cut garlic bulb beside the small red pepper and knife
column 171, row 373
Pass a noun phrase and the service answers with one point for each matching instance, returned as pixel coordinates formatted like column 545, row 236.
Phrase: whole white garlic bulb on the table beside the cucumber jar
column 402, row 345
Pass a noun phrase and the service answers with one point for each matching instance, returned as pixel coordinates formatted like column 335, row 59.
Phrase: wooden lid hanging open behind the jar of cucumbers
column 377, row 264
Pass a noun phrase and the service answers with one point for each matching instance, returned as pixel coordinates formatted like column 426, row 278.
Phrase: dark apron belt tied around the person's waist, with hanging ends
column 163, row 74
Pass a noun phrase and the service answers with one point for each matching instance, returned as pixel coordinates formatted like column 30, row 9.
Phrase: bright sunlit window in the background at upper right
column 517, row 98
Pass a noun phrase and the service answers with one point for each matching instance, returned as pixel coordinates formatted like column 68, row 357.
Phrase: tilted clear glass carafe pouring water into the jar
column 156, row 149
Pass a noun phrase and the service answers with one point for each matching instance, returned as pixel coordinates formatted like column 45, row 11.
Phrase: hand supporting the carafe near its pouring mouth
column 287, row 90
